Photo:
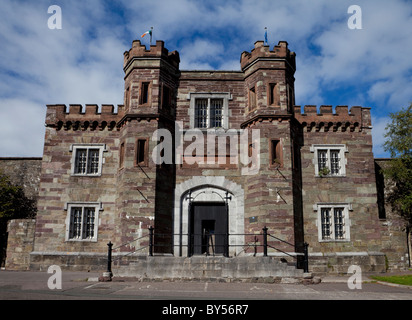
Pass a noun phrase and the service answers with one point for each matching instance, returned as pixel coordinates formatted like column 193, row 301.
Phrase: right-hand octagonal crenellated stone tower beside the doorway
column 269, row 95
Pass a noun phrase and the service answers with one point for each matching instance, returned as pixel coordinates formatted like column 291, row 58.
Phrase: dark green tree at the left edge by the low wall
column 13, row 205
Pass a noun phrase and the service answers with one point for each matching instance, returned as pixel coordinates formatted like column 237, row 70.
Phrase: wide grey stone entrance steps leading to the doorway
column 205, row 268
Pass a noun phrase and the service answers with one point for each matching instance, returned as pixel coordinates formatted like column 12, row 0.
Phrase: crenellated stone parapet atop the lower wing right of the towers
column 355, row 119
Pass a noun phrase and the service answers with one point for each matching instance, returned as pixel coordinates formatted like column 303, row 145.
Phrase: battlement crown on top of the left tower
column 139, row 50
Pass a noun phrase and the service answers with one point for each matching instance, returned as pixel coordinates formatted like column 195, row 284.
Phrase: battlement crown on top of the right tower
column 260, row 50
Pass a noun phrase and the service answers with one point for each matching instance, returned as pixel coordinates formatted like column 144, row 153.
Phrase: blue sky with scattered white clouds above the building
column 82, row 62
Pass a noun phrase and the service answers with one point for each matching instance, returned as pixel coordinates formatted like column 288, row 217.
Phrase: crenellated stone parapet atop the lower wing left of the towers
column 77, row 119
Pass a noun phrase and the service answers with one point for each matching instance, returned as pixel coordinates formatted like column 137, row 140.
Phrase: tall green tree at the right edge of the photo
column 399, row 171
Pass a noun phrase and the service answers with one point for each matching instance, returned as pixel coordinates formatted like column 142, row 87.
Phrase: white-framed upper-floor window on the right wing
column 329, row 159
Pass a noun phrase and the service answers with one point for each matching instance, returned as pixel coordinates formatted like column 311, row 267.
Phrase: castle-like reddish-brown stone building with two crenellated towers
column 209, row 155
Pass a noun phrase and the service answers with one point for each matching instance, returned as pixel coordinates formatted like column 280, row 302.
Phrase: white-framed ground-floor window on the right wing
column 333, row 221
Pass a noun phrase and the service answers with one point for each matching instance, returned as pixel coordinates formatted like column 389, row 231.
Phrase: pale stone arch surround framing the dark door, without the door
column 208, row 189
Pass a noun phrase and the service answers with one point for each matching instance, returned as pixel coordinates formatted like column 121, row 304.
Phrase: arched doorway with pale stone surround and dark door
column 207, row 210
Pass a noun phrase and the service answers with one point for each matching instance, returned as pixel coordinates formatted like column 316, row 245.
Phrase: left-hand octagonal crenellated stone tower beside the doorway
column 146, row 188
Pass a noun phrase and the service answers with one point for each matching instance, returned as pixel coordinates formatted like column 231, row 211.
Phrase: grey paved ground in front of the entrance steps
column 30, row 285
